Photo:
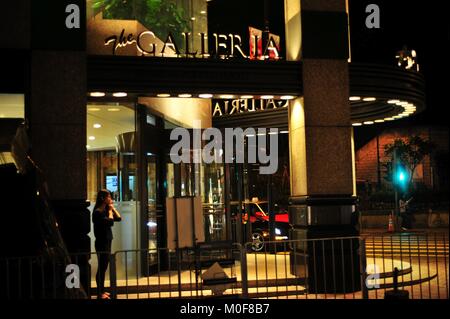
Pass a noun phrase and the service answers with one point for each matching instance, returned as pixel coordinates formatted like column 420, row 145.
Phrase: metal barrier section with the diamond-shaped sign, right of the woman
column 177, row 273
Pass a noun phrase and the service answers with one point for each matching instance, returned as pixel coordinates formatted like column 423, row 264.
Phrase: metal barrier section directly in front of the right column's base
column 307, row 269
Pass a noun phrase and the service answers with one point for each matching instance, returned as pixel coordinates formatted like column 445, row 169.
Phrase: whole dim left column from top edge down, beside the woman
column 57, row 113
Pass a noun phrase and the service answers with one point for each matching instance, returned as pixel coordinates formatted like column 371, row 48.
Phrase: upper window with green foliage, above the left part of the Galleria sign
column 162, row 17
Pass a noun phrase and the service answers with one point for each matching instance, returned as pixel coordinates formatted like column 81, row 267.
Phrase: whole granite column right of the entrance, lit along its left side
column 322, row 200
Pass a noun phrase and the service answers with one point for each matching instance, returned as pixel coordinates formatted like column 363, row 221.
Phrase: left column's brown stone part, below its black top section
column 57, row 119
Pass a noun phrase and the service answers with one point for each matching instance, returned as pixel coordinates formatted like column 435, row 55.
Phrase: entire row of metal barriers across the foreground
column 331, row 268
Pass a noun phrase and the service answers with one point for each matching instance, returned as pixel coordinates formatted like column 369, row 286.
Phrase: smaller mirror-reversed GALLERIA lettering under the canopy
column 238, row 106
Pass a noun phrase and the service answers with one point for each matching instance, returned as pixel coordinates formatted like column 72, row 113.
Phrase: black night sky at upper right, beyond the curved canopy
column 423, row 26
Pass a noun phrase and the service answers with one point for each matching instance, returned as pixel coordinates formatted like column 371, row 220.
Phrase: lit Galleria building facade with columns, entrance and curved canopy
column 101, row 100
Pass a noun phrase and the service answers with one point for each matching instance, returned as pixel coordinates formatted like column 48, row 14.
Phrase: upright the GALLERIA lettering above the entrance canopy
column 263, row 45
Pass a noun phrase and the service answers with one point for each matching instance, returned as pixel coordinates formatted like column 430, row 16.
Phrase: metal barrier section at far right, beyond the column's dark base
column 420, row 258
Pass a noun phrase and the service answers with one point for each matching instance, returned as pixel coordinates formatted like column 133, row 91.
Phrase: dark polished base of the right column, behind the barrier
column 326, row 252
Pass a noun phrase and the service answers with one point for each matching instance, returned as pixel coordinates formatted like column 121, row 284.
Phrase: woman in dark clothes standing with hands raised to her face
column 103, row 218
